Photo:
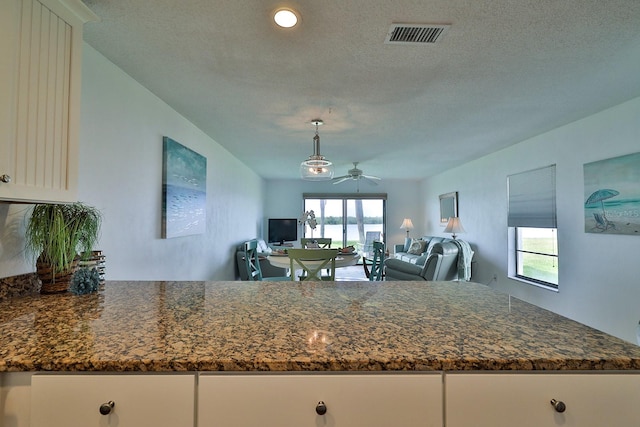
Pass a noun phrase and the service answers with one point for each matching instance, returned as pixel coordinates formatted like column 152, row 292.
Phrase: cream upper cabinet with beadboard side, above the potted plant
column 40, row 46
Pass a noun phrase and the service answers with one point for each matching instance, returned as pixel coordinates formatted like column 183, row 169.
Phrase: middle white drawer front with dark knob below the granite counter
column 292, row 400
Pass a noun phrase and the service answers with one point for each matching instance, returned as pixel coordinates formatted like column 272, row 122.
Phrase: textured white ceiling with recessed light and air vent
column 505, row 70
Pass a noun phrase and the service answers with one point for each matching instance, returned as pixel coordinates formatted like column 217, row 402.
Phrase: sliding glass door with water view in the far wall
column 349, row 220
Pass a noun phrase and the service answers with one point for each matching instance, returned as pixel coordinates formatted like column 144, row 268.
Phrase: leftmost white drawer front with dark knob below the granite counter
column 139, row 400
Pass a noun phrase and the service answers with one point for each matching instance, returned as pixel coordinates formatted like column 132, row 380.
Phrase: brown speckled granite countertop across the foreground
column 284, row 326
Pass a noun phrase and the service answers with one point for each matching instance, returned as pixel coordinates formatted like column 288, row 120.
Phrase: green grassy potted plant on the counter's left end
column 55, row 234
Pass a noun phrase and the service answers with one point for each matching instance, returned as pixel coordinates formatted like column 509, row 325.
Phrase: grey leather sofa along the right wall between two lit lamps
column 430, row 258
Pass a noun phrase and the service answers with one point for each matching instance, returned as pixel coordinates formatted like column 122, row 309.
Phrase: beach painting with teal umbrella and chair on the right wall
column 612, row 195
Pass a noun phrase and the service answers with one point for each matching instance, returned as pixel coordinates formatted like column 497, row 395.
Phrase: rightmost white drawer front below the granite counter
column 524, row 400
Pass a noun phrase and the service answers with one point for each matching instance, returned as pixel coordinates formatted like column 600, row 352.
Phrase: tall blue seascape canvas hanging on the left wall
column 184, row 190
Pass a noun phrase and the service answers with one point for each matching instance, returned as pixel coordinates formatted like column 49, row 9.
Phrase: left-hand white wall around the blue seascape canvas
column 122, row 125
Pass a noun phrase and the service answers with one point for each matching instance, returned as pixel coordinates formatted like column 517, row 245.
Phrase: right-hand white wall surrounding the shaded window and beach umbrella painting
column 598, row 274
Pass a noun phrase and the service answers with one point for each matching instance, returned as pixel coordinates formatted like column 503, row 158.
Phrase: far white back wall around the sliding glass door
column 283, row 199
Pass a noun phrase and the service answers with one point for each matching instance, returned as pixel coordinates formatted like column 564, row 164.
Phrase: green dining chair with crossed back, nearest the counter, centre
column 312, row 262
